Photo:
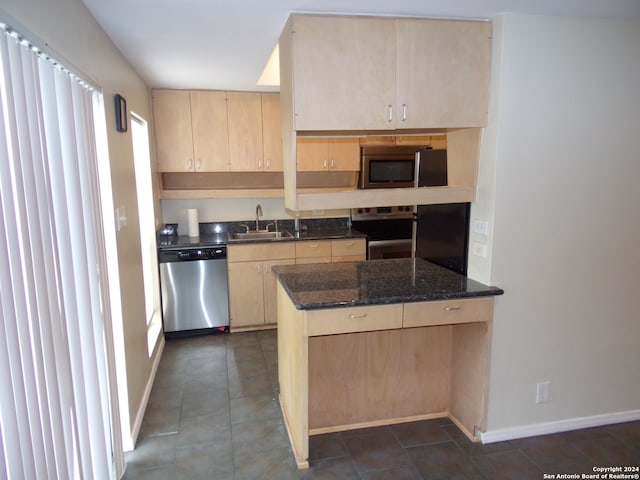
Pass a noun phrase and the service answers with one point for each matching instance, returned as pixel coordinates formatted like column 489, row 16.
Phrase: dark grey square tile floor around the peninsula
column 213, row 414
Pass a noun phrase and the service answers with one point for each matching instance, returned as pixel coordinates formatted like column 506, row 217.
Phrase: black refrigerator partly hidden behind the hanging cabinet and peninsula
column 441, row 232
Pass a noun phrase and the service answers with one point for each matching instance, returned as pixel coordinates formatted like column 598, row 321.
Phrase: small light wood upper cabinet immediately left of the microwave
column 328, row 154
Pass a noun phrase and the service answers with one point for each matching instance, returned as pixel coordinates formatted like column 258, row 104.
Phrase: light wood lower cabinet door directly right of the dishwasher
column 246, row 298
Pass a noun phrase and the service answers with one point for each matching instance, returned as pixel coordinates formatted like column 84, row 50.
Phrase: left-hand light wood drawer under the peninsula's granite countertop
column 353, row 319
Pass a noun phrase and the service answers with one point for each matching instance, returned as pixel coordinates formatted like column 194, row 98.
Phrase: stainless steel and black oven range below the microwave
column 389, row 230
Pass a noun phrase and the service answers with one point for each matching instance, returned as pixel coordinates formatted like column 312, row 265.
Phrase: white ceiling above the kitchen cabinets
column 224, row 44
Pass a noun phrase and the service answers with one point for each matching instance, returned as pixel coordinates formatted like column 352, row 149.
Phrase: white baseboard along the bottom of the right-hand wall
column 559, row 426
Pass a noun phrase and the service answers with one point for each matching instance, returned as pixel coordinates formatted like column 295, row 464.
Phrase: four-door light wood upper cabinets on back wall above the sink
column 217, row 131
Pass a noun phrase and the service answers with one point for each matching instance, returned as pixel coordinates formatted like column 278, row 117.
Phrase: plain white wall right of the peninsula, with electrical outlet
column 562, row 155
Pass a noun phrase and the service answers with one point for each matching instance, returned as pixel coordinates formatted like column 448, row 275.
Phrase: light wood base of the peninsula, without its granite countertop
column 353, row 367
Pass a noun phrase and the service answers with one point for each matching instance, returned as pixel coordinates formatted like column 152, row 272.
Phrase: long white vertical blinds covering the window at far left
column 54, row 397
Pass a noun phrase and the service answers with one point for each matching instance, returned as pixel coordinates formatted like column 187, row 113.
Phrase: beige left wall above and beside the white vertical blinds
column 71, row 32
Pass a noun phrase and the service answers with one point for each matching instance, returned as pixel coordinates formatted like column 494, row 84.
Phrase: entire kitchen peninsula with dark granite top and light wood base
column 378, row 342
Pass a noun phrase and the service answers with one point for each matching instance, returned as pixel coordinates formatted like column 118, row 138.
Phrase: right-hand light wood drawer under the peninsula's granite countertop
column 446, row 312
